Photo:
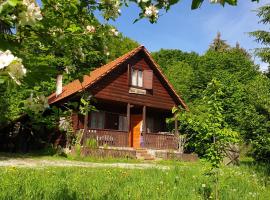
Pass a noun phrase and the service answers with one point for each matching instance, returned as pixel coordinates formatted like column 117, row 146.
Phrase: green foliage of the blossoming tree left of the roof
column 84, row 40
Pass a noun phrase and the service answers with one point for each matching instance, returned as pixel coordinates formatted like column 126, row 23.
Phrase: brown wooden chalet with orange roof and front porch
column 133, row 100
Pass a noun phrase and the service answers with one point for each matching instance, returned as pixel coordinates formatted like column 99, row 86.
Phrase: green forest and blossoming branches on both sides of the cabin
column 227, row 93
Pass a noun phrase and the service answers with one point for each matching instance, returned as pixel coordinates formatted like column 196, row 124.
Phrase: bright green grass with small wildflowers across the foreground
column 183, row 181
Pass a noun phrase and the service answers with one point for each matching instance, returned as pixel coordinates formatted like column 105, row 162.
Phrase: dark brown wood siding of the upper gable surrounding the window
column 115, row 87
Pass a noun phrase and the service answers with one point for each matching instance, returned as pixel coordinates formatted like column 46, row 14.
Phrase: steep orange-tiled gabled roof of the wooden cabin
column 76, row 86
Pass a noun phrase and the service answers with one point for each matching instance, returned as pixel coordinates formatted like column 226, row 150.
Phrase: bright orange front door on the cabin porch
column 135, row 135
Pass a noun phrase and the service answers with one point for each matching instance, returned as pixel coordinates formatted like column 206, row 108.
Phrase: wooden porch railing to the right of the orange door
column 160, row 141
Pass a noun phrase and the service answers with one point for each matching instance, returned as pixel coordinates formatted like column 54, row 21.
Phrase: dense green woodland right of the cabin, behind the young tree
column 244, row 102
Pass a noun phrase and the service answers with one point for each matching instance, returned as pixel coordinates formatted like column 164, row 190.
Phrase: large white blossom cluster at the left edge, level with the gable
column 12, row 66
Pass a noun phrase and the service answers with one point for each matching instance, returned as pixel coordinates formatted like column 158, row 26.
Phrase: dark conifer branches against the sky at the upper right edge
column 263, row 36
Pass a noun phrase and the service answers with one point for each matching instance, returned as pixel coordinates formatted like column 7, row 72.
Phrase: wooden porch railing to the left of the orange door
column 109, row 137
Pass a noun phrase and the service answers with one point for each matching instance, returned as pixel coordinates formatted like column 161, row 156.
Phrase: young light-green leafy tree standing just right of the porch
column 211, row 134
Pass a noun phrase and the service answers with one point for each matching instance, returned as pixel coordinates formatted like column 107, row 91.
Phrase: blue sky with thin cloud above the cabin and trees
column 193, row 30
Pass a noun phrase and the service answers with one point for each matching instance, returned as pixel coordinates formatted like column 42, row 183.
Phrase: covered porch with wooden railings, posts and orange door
column 118, row 124
